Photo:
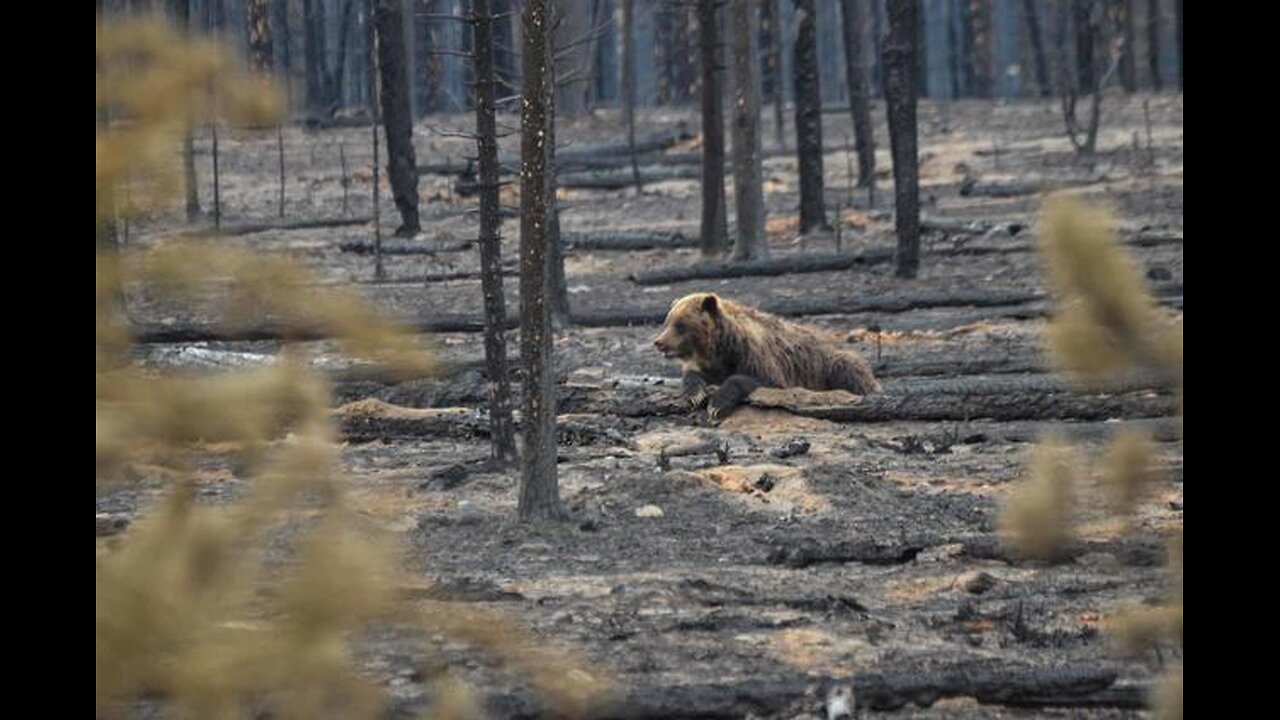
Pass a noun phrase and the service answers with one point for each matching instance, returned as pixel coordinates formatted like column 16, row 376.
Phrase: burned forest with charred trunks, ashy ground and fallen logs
column 514, row 359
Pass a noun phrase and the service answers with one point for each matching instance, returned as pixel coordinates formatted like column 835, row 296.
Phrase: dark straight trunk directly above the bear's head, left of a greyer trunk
column 715, row 226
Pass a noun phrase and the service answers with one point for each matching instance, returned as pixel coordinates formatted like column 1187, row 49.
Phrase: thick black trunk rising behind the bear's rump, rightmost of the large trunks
column 900, row 98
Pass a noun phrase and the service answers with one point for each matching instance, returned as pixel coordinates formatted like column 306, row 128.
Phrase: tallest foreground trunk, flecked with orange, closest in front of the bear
column 540, row 490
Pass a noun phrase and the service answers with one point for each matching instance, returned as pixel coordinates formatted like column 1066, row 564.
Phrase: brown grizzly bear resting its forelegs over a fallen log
column 740, row 349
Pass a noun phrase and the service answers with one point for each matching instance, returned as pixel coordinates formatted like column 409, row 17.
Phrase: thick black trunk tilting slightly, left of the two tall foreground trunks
column 396, row 115
